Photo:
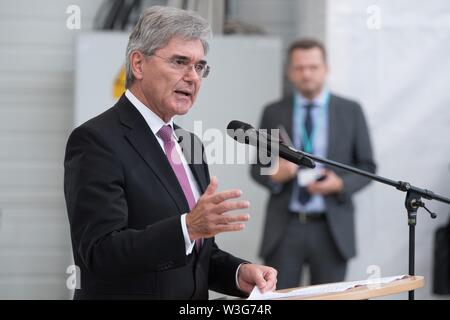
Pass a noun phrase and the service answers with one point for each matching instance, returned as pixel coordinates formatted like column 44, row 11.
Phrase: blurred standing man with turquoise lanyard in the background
column 309, row 217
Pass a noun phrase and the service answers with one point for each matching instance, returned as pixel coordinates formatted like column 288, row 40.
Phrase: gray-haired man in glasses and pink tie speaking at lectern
column 142, row 214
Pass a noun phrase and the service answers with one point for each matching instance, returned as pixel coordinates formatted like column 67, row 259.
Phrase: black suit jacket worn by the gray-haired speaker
column 124, row 204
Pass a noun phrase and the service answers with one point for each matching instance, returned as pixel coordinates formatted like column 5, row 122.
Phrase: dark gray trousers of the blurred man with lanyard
column 308, row 243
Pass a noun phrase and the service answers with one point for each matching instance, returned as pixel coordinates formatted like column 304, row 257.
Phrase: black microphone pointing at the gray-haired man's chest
column 260, row 140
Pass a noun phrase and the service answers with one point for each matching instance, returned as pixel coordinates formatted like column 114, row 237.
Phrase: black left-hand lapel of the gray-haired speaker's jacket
column 146, row 145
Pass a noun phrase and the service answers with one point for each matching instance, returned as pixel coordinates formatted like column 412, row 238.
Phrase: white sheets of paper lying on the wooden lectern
column 320, row 289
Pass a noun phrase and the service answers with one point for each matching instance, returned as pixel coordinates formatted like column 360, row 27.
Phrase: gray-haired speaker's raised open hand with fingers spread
column 208, row 217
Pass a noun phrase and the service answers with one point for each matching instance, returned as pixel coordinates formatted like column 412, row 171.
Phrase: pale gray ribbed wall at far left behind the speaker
column 36, row 101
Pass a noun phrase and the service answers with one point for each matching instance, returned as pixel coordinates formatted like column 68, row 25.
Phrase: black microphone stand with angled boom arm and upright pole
column 413, row 201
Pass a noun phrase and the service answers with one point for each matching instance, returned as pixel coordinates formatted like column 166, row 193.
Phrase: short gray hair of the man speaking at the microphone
column 157, row 25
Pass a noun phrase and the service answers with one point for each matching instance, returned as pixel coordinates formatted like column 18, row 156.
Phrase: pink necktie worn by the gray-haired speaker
column 165, row 133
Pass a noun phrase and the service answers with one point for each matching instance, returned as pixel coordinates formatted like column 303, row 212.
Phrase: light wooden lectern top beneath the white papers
column 363, row 292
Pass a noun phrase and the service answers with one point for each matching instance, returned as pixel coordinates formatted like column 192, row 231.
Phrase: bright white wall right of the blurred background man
column 399, row 73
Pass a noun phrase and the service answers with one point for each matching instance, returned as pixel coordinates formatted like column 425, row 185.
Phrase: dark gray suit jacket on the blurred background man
column 348, row 143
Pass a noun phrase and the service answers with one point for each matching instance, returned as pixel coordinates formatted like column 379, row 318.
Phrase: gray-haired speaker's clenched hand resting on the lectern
column 251, row 275
